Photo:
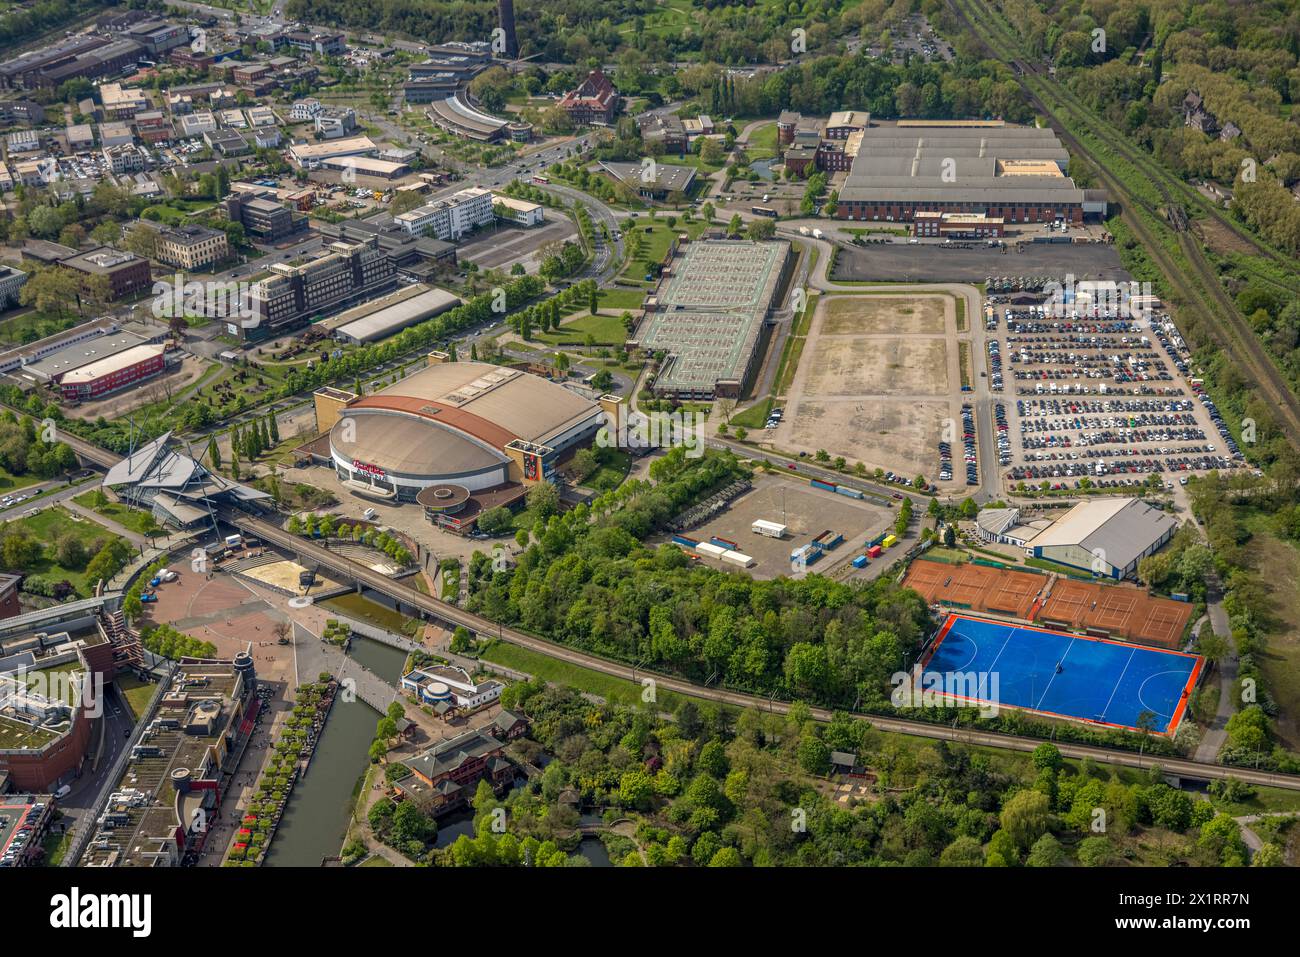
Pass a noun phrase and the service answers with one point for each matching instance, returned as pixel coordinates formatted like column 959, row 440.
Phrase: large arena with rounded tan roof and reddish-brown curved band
column 461, row 425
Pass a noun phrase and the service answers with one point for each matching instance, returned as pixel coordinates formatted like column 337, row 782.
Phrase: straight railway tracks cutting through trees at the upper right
column 1216, row 311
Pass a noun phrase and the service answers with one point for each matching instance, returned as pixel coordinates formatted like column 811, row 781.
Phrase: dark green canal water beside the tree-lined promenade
column 317, row 820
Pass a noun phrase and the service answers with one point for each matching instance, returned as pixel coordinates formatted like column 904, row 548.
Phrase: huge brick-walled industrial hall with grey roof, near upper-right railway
column 1009, row 174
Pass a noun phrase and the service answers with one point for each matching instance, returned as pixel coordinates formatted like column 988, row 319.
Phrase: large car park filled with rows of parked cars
column 1103, row 396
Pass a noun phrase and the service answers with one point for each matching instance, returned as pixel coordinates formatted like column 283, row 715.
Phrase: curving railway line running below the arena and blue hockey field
column 439, row 610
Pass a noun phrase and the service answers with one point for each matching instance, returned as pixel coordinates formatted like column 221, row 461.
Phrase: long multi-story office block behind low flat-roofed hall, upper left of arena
column 340, row 275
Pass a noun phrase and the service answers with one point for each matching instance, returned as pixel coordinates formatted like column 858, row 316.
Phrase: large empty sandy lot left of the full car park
column 877, row 382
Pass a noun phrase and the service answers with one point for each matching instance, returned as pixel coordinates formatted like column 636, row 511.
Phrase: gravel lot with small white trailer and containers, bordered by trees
column 807, row 512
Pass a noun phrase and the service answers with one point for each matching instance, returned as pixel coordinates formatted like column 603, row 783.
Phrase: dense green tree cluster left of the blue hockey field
column 586, row 579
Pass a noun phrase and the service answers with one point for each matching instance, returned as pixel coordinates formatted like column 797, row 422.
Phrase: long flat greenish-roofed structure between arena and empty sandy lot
column 709, row 315
